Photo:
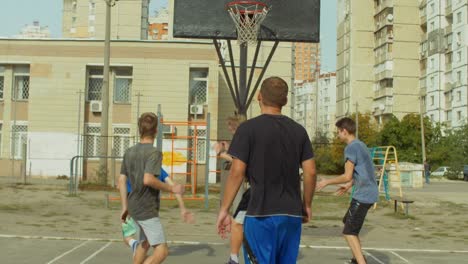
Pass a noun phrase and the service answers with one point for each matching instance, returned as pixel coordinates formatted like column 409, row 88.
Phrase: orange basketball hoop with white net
column 247, row 16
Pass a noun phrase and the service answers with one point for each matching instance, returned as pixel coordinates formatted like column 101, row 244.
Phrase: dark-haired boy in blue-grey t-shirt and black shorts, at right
column 359, row 171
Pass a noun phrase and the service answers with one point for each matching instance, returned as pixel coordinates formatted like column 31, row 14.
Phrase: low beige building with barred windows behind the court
column 50, row 92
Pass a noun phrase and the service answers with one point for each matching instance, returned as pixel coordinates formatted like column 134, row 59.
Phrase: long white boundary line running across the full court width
column 221, row 243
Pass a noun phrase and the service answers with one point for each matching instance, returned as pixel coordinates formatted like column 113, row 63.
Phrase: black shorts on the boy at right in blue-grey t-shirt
column 354, row 217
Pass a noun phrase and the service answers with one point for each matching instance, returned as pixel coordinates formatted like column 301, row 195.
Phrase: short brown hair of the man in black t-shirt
column 274, row 91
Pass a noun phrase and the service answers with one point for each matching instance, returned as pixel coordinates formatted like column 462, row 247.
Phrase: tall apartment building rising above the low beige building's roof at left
column 86, row 19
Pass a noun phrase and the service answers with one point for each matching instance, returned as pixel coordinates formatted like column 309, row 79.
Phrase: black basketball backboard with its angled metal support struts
column 286, row 21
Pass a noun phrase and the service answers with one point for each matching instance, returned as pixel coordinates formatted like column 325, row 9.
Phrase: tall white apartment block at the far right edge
column 443, row 61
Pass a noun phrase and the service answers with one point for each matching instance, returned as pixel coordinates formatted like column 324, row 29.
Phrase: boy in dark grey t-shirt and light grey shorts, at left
column 141, row 163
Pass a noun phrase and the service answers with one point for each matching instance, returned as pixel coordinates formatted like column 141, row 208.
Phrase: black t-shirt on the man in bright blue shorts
column 273, row 147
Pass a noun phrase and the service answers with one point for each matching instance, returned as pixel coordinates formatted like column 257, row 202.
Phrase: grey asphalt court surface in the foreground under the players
column 47, row 250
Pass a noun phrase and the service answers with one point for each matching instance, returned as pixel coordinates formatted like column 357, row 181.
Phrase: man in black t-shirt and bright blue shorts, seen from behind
column 269, row 150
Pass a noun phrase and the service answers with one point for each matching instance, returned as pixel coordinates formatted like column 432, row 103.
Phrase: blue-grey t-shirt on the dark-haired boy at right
column 365, row 186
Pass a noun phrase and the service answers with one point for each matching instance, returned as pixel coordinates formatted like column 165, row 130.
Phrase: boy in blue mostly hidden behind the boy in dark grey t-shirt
column 129, row 227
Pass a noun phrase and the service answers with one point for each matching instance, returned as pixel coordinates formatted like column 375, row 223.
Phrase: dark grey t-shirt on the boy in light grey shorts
column 143, row 201
